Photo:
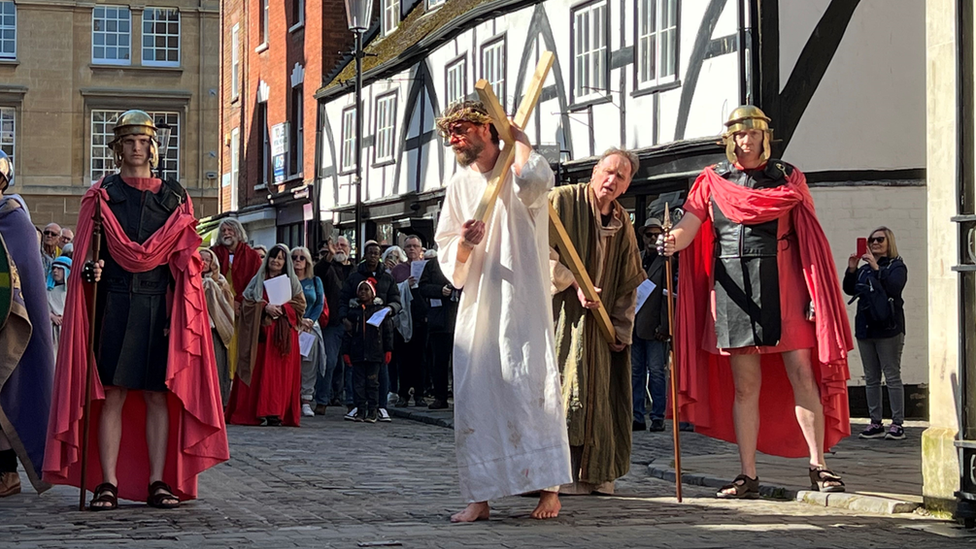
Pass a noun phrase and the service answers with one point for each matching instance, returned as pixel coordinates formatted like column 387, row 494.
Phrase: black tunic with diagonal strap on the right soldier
column 747, row 300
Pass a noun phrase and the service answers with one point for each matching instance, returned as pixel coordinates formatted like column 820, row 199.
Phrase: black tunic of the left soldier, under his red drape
column 131, row 311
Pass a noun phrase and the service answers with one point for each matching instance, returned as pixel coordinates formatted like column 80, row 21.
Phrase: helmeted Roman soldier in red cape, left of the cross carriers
column 156, row 400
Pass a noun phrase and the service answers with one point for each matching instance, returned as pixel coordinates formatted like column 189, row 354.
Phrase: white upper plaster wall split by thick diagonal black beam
column 868, row 111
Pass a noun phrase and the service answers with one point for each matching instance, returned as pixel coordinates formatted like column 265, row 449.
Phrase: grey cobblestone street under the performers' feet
column 333, row 483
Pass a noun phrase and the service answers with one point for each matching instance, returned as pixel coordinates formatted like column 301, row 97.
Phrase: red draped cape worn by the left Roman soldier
column 197, row 436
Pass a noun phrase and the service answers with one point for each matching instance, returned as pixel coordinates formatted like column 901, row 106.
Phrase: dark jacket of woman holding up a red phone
column 892, row 274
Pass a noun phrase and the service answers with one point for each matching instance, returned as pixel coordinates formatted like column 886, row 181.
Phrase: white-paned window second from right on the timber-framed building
column 590, row 60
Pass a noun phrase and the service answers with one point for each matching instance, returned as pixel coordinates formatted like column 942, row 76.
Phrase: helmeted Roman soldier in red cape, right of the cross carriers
column 762, row 334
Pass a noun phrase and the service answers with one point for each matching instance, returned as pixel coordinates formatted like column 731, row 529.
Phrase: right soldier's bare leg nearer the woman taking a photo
column 806, row 394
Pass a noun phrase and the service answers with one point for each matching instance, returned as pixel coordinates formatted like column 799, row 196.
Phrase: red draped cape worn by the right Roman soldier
column 705, row 379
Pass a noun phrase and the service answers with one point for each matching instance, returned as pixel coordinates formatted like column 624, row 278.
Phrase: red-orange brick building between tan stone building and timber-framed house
column 275, row 54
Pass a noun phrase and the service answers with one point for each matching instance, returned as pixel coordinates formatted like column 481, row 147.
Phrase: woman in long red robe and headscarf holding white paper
column 267, row 389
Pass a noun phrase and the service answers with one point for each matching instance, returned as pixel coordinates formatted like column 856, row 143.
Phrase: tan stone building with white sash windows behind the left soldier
column 68, row 68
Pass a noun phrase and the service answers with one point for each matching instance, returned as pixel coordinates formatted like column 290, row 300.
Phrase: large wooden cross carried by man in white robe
column 557, row 234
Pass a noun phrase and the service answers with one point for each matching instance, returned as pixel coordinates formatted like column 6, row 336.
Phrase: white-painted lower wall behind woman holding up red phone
column 847, row 213
